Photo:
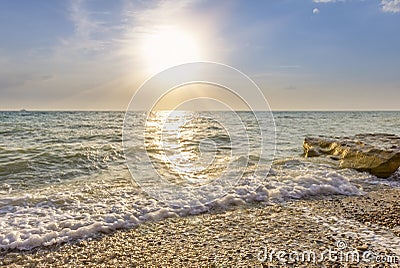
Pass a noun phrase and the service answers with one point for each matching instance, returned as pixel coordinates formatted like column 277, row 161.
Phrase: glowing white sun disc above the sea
column 169, row 46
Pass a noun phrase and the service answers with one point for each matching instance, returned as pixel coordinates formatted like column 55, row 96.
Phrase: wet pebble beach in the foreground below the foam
column 240, row 237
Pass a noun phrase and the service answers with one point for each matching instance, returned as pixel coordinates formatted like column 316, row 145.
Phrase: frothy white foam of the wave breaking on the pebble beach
column 56, row 214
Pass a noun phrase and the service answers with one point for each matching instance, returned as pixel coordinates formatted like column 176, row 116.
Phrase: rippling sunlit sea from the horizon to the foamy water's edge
column 71, row 175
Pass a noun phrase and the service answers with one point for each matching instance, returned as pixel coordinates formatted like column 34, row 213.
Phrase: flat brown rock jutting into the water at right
column 378, row 154
